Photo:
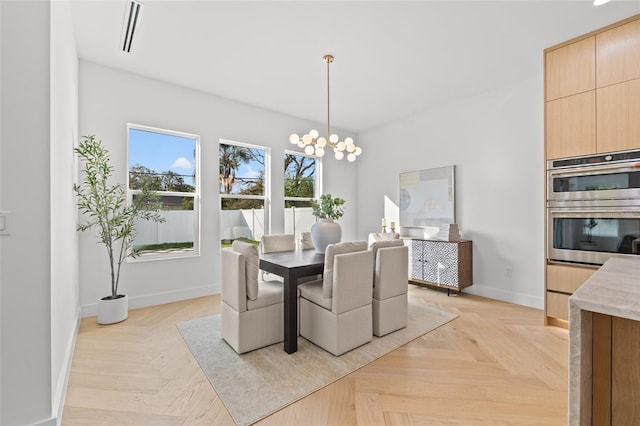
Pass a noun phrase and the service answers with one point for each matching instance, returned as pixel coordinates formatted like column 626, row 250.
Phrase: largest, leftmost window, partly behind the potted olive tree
column 168, row 162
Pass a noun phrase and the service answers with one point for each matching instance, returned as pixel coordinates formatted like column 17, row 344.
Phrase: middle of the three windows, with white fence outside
column 243, row 191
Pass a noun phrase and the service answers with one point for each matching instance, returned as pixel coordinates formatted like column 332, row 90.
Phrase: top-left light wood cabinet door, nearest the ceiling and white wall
column 570, row 69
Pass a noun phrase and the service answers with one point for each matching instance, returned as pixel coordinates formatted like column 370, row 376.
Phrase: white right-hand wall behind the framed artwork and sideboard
column 496, row 143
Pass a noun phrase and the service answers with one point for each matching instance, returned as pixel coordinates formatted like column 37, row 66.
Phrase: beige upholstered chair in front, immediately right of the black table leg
column 335, row 312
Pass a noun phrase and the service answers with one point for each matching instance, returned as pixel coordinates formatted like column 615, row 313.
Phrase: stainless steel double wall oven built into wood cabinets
column 593, row 208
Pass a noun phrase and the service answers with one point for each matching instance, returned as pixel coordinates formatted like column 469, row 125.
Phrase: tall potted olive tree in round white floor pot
column 105, row 208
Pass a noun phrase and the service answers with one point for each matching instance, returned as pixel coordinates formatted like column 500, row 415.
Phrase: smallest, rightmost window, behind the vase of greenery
column 301, row 185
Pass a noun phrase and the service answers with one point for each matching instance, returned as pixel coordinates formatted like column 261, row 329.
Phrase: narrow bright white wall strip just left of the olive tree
column 65, row 298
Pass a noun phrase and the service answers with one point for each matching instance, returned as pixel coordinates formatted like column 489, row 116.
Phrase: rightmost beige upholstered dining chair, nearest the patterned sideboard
column 390, row 285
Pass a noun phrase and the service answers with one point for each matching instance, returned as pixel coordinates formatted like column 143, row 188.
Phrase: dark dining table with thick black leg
column 291, row 266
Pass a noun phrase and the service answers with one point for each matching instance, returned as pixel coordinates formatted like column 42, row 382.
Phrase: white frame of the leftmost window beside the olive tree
column 196, row 195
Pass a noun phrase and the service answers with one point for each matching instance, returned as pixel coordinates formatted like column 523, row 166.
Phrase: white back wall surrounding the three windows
column 109, row 99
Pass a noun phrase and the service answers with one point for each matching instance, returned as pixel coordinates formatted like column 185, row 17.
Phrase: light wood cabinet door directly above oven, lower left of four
column 571, row 126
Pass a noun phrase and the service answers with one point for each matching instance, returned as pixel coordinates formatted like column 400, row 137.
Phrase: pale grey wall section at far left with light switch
column 25, row 283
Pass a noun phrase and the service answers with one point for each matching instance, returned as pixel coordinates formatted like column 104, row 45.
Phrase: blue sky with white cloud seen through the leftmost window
column 162, row 152
